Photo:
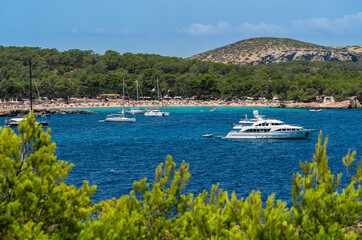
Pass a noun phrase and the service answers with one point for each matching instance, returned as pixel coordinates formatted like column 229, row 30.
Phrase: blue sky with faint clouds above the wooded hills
column 172, row 27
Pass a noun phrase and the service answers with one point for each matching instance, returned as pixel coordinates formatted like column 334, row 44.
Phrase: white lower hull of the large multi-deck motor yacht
column 271, row 135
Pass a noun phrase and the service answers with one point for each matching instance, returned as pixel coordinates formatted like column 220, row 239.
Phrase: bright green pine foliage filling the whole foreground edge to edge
column 35, row 203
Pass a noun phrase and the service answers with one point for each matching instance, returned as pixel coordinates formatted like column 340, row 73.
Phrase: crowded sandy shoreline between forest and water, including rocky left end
column 16, row 109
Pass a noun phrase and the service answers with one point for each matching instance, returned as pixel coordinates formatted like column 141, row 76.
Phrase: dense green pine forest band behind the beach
column 86, row 74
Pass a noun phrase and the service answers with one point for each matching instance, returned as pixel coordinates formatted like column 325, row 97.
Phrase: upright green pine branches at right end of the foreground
column 320, row 209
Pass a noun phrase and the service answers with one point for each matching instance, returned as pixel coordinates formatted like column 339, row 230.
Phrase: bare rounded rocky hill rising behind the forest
column 270, row 50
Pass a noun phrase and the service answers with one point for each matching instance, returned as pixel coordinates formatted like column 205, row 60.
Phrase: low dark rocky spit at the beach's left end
column 39, row 112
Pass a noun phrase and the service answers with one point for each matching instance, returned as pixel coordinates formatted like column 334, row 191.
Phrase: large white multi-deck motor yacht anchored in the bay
column 259, row 127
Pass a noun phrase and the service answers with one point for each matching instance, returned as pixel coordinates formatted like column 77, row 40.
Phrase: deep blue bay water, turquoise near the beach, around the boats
column 114, row 155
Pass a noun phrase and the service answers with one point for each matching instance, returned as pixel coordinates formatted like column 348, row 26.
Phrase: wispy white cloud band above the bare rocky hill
column 349, row 25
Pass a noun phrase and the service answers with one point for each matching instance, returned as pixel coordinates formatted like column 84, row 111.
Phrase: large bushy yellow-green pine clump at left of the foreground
column 34, row 200
